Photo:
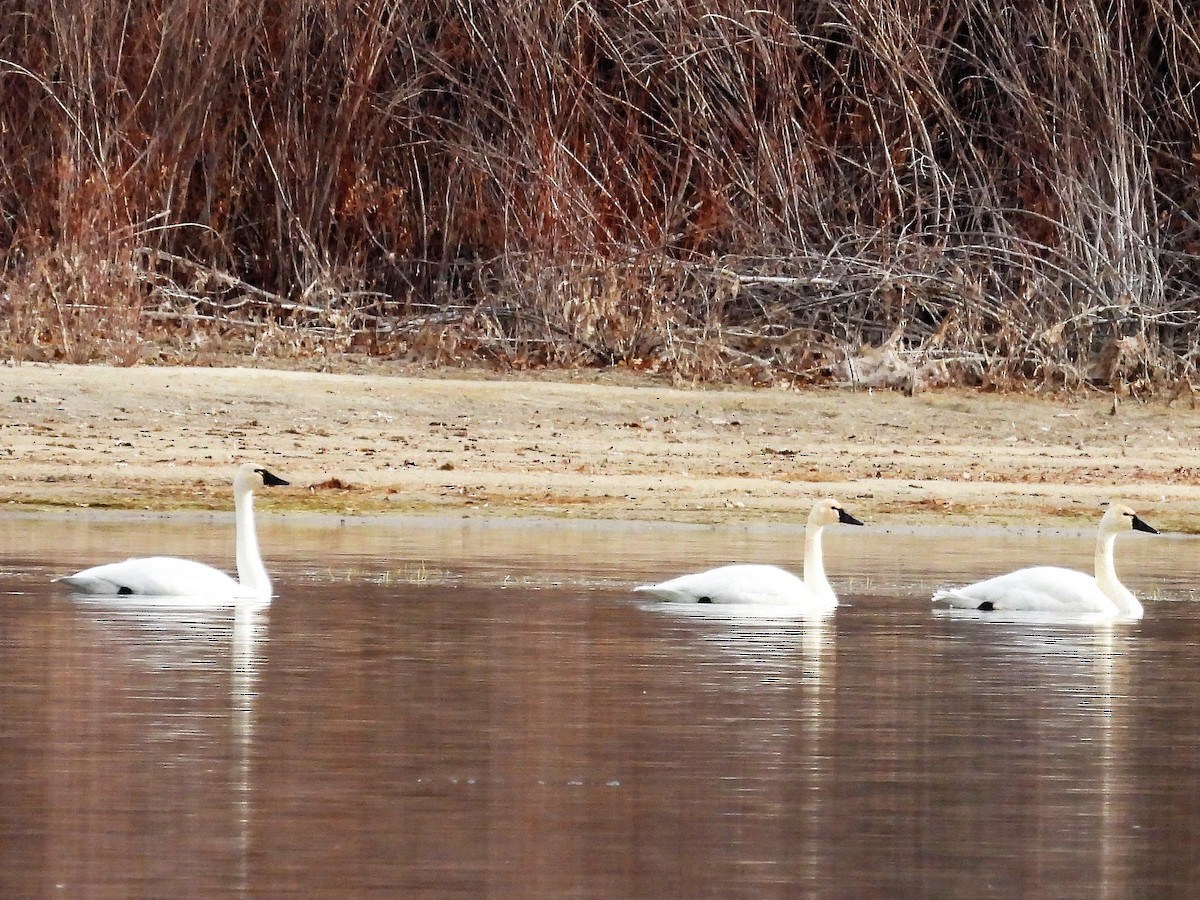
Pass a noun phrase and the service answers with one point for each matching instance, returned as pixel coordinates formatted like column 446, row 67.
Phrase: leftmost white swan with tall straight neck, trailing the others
column 171, row 577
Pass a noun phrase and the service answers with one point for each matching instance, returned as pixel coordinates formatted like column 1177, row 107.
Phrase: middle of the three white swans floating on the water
column 765, row 584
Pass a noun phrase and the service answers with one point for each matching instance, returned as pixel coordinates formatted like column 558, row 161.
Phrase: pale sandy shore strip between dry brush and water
column 609, row 448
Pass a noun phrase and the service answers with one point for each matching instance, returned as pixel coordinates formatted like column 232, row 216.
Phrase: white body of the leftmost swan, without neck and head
column 154, row 577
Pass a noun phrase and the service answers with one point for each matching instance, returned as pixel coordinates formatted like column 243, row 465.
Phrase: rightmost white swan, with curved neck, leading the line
column 1049, row 589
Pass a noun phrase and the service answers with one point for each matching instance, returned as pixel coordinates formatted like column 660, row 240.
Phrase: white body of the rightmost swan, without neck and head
column 1041, row 587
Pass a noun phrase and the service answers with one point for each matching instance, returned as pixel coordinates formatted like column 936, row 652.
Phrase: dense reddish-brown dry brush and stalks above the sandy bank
column 892, row 193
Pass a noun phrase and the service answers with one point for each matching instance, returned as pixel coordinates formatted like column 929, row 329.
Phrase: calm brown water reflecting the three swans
column 465, row 710
